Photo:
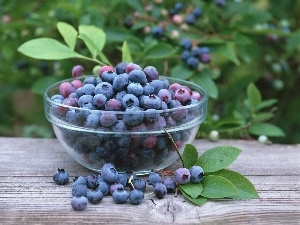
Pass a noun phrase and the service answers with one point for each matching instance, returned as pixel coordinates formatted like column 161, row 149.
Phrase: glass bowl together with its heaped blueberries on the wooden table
column 127, row 116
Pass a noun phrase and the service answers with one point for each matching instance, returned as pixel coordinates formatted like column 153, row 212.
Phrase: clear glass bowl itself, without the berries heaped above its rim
column 140, row 148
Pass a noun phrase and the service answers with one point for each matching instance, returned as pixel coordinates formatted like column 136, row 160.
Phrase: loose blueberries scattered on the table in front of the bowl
column 93, row 188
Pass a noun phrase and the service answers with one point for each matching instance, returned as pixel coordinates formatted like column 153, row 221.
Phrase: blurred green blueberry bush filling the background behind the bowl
column 245, row 53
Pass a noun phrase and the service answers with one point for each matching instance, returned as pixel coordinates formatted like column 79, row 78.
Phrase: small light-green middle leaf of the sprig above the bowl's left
column 69, row 33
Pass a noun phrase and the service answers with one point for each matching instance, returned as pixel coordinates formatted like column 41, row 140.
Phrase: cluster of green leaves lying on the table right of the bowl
column 218, row 181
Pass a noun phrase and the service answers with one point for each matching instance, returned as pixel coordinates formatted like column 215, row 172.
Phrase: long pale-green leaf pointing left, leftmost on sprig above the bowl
column 46, row 48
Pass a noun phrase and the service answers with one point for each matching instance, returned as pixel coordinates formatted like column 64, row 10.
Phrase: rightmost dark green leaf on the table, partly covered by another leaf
column 245, row 189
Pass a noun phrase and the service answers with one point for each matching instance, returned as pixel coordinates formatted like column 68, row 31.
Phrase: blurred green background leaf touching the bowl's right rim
column 205, row 80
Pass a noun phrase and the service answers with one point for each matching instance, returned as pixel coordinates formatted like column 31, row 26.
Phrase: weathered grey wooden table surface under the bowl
column 29, row 195
